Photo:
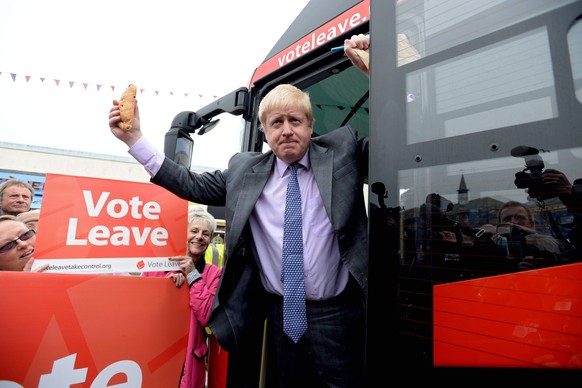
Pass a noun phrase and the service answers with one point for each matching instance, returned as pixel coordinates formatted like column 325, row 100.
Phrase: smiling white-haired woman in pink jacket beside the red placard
column 203, row 281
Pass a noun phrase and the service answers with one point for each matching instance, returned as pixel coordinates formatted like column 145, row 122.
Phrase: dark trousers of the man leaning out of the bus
column 331, row 352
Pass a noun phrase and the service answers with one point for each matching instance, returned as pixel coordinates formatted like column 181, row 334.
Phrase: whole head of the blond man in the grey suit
column 287, row 120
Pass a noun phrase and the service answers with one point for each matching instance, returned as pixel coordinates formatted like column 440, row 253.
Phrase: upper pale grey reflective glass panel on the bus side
column 505, row 84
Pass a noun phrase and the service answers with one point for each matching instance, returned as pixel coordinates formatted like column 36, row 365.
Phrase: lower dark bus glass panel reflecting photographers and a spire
column 452, row 219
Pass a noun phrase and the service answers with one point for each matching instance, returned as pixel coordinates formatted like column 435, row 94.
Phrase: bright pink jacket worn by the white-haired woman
column 201, row 294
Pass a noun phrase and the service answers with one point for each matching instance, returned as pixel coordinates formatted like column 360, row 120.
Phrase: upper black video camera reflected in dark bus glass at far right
column 532, row 180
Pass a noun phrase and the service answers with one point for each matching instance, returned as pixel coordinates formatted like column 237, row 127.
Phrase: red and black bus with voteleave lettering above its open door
column 462, row 97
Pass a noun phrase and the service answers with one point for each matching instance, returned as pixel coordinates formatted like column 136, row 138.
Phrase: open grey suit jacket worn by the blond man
column 340, row 164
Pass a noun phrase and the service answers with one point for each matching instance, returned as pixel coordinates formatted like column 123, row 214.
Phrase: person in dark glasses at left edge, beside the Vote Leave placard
column 17, row 245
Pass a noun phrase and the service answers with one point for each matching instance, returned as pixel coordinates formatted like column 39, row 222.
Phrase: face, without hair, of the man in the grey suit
column 288, row 133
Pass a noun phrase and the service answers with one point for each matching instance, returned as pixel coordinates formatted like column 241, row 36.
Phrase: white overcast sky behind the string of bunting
column 62, row 62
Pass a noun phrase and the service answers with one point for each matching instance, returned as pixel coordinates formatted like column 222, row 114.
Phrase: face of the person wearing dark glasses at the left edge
column 15, row 258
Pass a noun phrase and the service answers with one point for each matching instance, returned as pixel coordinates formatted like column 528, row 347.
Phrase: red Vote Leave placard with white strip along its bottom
column 93, row 225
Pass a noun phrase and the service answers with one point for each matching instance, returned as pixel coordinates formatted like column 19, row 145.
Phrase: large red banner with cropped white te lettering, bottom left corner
column 91, row 330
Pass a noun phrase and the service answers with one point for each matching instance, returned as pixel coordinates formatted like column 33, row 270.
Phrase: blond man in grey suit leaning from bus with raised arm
column 331, row 173
